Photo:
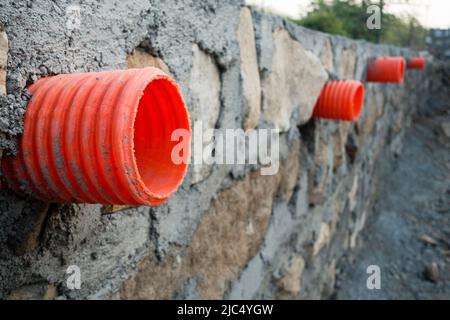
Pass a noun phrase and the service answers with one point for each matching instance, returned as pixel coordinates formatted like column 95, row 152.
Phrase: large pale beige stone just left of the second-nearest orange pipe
column 294, row 84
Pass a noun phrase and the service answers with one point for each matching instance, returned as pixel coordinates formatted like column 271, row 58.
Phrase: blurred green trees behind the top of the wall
column 348, row 18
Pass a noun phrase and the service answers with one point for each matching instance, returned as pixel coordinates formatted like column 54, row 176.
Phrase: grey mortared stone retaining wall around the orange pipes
column 229, row 232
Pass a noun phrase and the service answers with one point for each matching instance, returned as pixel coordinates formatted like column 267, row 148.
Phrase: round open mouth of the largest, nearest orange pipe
column 161, row 110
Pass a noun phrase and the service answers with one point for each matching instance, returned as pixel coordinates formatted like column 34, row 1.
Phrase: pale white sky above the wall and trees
column 431, row 13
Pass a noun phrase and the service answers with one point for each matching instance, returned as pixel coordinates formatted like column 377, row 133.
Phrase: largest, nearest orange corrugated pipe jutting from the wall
column 102, row 137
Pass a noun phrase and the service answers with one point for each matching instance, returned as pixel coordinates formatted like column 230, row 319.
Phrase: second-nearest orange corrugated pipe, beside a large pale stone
column 340, row 100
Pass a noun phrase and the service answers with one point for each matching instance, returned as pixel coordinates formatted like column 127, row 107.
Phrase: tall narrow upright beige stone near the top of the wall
column 251, row 85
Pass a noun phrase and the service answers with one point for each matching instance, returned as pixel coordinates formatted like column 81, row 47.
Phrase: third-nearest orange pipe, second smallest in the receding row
column 386, row 69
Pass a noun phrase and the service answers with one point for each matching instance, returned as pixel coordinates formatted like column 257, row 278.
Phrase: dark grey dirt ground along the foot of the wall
column 408, row 235
